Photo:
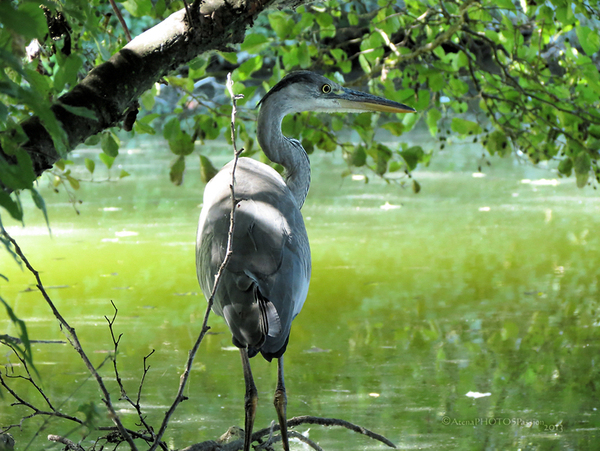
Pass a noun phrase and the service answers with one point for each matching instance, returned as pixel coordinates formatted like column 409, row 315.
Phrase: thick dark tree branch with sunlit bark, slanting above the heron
column 113, row 87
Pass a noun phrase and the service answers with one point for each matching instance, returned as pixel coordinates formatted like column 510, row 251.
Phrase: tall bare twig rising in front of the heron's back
column 205, row 328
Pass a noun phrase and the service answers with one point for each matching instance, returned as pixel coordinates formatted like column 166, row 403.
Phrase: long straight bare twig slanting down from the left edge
column 74, row 340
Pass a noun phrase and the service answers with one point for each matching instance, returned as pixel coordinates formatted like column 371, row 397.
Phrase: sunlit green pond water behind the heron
column 478, row 284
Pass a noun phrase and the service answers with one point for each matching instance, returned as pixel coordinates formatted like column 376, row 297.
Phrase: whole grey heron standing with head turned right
column 266, row 280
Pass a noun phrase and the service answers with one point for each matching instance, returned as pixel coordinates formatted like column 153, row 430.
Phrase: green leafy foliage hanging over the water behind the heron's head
column 520, row 77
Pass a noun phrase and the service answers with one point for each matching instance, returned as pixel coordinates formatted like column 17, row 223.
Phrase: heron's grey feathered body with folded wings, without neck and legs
column 266, row 280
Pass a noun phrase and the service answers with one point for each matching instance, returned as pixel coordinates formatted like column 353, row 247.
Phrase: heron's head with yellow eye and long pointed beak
column 307, row 91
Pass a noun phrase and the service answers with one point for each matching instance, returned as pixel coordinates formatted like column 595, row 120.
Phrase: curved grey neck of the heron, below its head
column 279, row 149
